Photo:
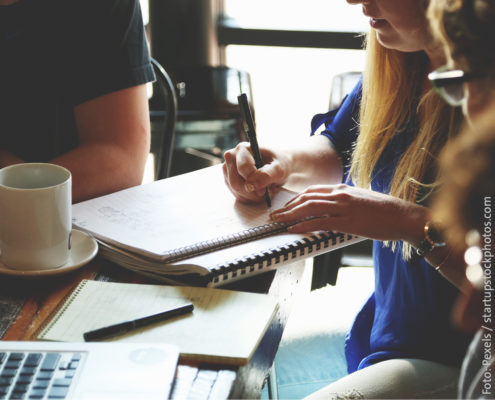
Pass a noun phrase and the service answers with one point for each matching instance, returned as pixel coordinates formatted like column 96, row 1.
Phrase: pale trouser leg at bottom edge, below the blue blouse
column 395, row 379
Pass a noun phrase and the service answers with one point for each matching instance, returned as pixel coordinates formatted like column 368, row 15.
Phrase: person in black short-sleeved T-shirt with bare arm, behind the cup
column 72, row 90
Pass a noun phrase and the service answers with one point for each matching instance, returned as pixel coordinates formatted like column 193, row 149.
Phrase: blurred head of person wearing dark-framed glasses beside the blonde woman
column 465, row 29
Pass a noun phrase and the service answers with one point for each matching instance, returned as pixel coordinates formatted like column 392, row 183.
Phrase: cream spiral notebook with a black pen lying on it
column 225, row 327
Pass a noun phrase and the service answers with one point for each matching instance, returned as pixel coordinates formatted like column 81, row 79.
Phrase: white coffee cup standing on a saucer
column 35, row 216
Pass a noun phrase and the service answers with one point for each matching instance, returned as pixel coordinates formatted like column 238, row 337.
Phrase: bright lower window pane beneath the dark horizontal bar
column 290, row 85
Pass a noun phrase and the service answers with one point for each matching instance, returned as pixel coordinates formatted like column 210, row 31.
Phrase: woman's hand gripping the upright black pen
column 248, row 183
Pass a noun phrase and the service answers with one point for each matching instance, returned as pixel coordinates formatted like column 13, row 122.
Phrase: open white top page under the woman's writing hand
column 173, row 213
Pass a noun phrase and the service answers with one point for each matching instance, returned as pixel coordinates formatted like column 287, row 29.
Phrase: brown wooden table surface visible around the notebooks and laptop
column 26, row 303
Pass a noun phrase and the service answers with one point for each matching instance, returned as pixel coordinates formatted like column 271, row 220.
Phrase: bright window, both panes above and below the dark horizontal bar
column 290, row 85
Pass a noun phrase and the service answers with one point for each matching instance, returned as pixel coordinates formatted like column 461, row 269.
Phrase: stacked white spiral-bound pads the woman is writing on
column 190, row 229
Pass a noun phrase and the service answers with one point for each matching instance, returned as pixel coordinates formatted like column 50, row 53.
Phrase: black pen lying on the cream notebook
column 127, row 326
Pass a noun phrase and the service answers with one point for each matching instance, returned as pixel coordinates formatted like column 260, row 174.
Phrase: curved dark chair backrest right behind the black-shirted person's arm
column 163, row 115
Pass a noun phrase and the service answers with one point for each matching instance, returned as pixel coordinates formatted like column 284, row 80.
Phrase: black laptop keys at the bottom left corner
column 37, row 375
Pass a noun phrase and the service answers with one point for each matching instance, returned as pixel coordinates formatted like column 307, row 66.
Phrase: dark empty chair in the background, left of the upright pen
column 208, row 122
